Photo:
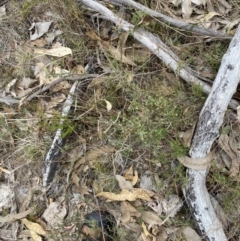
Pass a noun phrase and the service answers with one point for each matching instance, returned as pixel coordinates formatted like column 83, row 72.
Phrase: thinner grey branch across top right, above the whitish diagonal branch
column 174, row 22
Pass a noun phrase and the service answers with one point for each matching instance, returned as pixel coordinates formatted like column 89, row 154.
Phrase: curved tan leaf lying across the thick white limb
column 197, row 163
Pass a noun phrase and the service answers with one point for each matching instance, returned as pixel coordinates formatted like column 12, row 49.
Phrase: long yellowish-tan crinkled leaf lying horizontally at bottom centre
column 126, row 195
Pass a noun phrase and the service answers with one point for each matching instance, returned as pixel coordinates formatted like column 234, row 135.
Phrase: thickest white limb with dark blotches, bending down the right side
column 210, row 120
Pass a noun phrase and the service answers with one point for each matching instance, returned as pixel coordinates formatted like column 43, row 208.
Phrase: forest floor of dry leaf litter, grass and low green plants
column 126, row 127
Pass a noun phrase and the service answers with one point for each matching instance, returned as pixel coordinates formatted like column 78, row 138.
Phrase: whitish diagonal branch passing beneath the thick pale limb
column 155, row 45
